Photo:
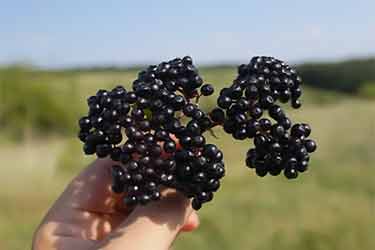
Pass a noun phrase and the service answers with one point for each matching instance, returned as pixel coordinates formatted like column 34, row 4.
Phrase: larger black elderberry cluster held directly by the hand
column 165, row 145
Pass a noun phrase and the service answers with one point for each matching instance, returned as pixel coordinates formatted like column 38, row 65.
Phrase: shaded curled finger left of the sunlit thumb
column 88, row 205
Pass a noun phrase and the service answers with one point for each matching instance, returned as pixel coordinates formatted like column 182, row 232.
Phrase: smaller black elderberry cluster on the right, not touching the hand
column 279, row 145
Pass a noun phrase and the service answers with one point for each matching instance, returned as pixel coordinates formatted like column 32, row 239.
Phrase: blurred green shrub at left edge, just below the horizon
column 32, row 101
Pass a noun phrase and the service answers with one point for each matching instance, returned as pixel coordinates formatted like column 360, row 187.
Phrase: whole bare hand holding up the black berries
column 88, row 216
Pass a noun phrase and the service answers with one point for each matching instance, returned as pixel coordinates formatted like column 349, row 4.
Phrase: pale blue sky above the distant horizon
column 68, row 33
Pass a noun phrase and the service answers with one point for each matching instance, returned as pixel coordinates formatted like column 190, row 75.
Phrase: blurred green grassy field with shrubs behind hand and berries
column 330, row 207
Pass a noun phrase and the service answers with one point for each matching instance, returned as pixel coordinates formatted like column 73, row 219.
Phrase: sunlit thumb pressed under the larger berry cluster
column 154, row 226
